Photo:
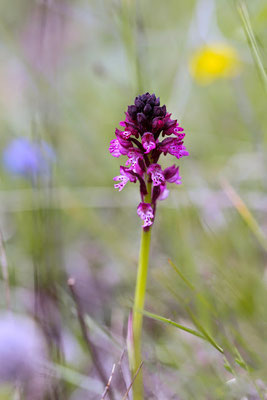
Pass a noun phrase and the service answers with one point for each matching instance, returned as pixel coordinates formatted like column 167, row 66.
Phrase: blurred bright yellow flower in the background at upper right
column 214, row 61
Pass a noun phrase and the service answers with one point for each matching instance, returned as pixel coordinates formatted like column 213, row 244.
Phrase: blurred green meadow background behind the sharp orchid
column 68, row 70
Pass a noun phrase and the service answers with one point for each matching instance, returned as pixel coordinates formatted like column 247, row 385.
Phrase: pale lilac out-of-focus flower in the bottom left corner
column 23, row 353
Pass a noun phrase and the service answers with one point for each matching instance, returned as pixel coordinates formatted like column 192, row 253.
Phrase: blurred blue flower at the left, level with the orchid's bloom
column 25, row 158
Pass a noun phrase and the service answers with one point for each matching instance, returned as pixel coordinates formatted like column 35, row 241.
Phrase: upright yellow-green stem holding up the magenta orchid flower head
column 139, row 301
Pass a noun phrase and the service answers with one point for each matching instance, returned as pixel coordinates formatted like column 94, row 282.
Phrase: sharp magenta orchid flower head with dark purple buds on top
column 146, row 120
